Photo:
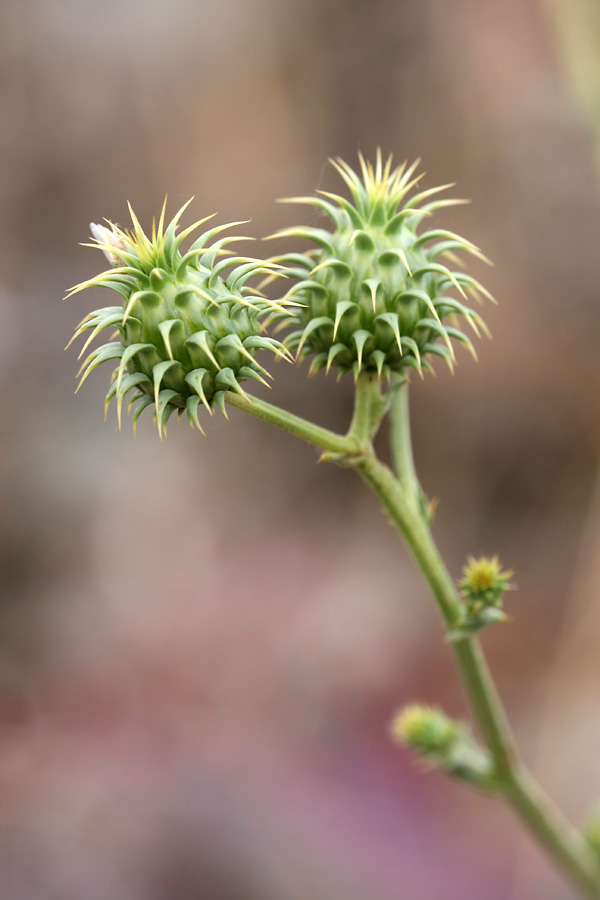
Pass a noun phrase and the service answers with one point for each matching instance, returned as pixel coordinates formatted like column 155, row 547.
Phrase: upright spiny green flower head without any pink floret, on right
column 375, row 291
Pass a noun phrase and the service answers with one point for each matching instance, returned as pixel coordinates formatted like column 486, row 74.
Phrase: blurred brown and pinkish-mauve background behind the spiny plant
column 202, row 641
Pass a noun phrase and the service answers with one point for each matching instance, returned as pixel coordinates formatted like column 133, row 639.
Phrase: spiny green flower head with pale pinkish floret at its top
column 188, row 327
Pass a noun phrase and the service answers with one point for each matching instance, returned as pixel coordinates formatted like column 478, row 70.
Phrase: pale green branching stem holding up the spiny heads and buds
column 402, row 498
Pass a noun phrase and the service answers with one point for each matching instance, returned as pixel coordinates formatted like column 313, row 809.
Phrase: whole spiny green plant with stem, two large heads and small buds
column 372, row 296
